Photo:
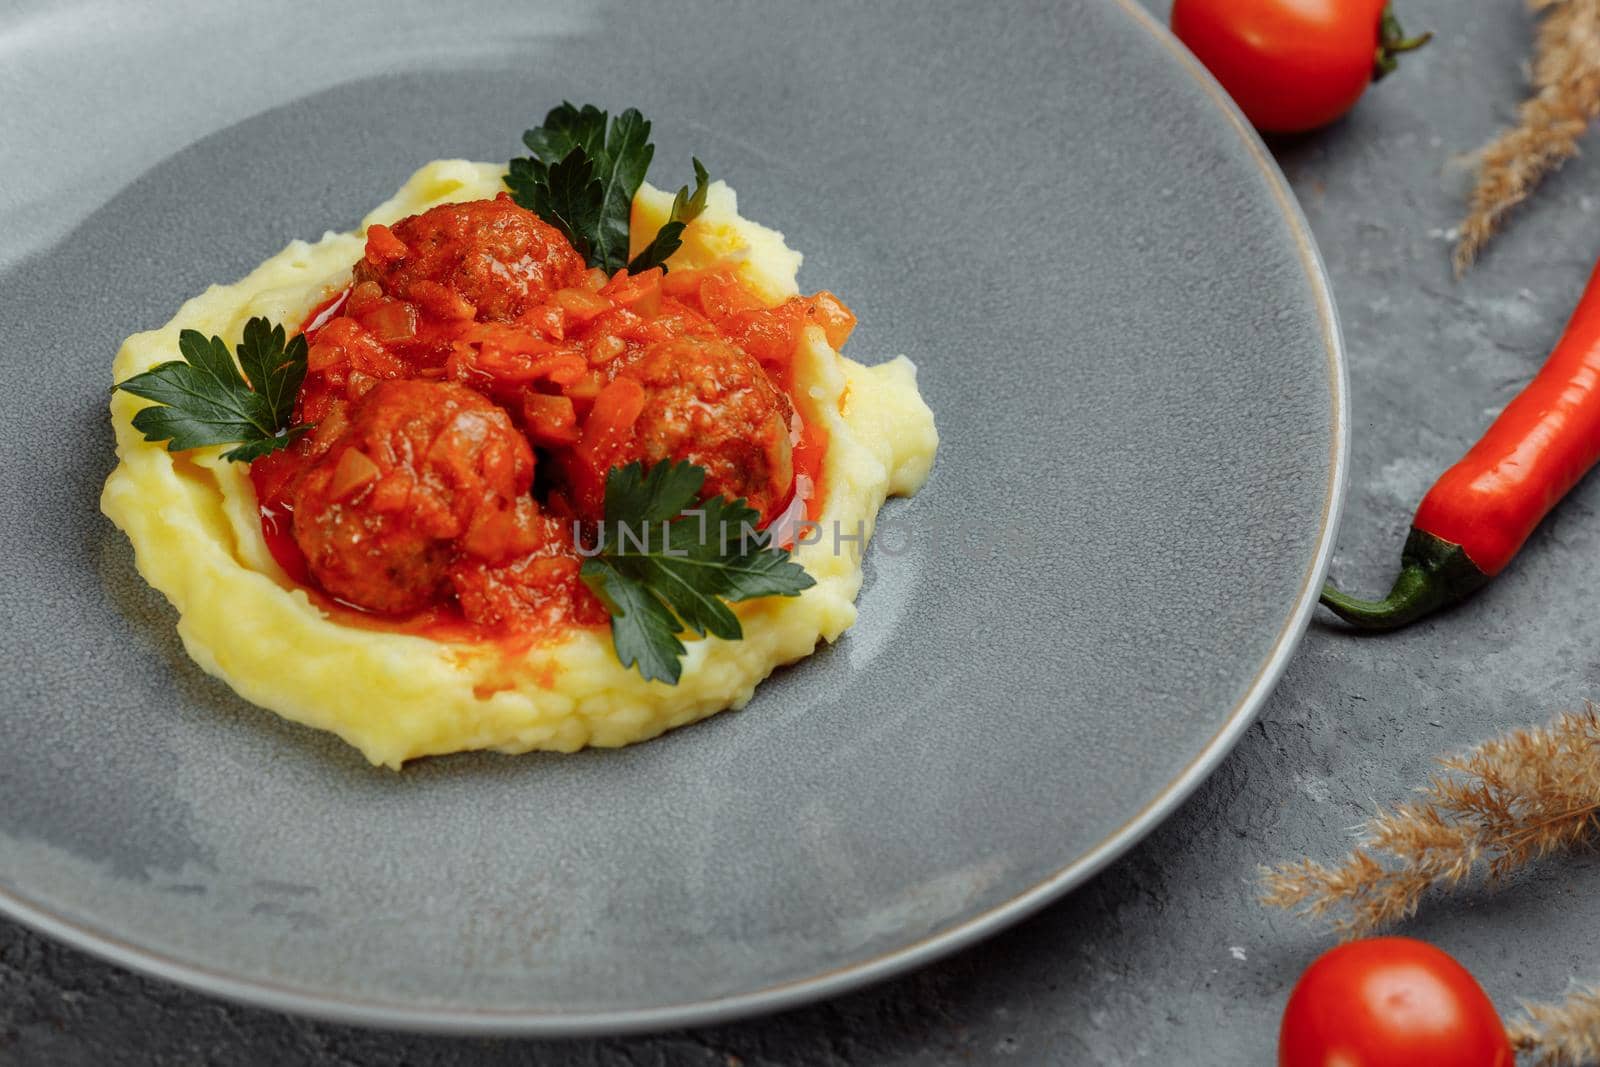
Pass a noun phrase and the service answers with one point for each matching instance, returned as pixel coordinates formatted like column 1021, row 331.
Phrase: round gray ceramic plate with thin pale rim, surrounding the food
column 1122, row 327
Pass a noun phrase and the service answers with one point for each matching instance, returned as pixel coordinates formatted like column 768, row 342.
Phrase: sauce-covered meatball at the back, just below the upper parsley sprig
column 487, row 260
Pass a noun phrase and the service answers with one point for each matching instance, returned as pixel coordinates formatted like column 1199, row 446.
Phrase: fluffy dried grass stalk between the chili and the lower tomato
column 1494, row 810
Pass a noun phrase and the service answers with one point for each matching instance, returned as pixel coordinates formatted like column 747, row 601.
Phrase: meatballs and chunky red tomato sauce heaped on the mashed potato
column 535, row 377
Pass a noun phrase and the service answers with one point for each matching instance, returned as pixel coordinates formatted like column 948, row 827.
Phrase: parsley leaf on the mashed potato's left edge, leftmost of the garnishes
column 204, row 399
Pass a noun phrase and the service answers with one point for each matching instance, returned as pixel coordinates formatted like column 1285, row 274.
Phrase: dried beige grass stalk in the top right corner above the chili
column 1550, row 126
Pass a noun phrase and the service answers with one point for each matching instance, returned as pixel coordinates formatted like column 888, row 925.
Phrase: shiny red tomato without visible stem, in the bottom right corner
column 1391, row 1002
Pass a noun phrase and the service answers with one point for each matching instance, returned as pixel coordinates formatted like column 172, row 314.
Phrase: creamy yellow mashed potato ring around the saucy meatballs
column 196, row 532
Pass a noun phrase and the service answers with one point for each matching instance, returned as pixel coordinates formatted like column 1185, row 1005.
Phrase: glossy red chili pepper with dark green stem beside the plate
column 1476, row 518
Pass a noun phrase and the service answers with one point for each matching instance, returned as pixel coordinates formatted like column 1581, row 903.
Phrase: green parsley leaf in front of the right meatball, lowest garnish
column 666, row 565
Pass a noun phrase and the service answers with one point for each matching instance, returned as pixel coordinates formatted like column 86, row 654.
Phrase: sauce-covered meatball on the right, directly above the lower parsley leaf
column 711, row 404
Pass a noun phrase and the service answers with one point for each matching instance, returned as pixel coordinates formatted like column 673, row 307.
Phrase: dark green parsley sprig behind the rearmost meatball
column 582, row 180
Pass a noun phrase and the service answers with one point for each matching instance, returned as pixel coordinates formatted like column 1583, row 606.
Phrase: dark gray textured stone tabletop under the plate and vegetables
column 1166, row 959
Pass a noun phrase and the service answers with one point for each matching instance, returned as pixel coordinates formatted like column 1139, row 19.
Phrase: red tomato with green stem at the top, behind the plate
column 1294, row 65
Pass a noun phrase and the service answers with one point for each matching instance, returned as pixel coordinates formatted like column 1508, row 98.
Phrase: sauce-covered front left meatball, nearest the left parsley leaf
column 425, row 474
